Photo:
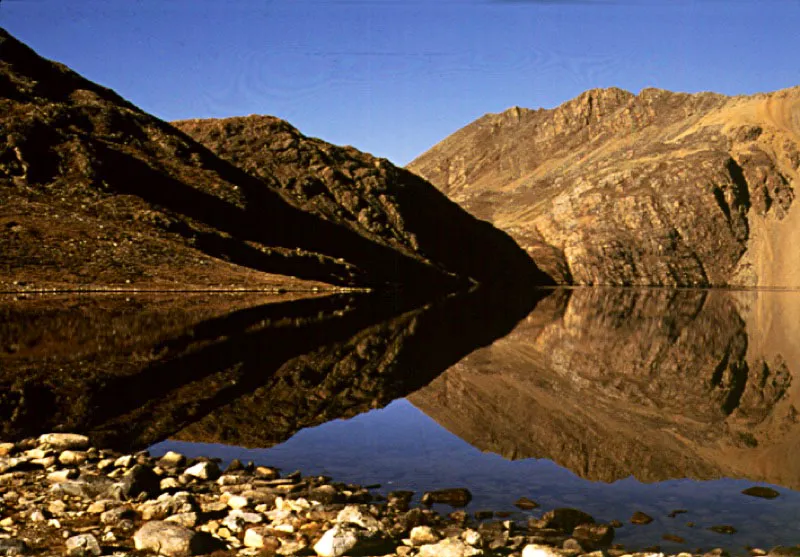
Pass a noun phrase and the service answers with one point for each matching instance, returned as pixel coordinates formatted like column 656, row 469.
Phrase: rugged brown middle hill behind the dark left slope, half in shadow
column 367, row 195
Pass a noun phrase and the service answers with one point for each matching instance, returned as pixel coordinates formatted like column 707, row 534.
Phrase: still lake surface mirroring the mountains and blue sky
column 609, row 400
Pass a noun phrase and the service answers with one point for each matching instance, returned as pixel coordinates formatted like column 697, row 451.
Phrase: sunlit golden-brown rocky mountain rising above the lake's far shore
column 658, row 188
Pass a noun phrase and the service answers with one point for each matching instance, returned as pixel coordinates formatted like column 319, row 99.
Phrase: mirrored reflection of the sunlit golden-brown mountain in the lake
column 611, row 383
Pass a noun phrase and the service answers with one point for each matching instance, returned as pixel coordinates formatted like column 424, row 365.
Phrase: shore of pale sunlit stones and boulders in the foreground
column 61, row 496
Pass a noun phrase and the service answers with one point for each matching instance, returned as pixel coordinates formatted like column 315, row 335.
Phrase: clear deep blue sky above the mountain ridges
column 394, row 77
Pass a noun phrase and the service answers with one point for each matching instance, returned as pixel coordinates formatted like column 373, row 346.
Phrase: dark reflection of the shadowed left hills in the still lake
column 251, row 376
